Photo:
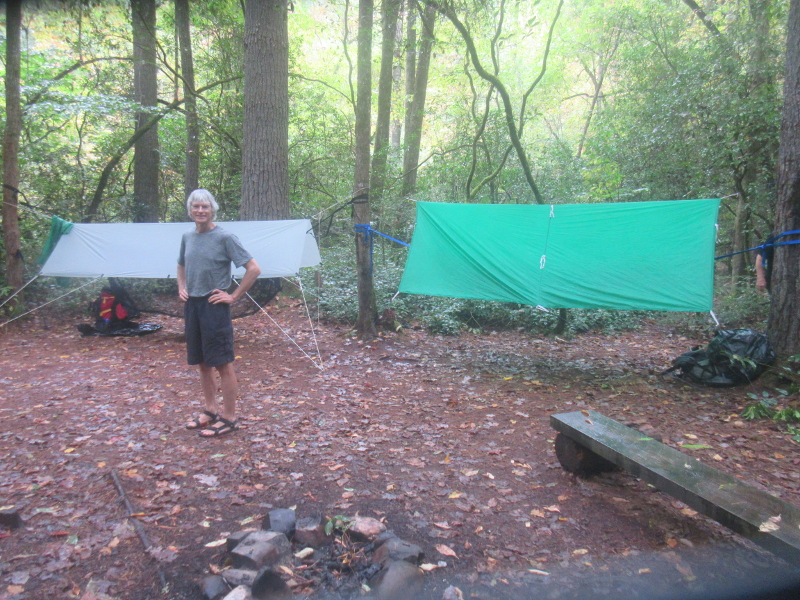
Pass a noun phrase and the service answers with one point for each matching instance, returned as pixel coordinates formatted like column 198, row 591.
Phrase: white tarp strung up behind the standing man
column 150, row 250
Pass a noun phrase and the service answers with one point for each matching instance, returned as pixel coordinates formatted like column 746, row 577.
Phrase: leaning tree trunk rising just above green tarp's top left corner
column 413, row 136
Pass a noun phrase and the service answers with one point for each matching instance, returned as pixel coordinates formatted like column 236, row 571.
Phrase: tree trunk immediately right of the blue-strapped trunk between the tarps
column 381, row 149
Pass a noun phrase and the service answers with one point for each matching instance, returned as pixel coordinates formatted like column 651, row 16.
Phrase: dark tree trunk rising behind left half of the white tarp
column 146, row 159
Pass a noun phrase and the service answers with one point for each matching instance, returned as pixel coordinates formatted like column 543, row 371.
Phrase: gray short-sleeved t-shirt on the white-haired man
column 207, row 257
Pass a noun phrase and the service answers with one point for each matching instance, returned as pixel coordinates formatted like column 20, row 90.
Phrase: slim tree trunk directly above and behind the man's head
column 192, row 161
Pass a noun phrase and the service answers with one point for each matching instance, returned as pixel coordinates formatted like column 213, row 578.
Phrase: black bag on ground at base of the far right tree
column 733, row 357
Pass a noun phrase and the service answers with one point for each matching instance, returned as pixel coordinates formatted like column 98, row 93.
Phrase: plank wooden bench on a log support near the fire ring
column 589, row 442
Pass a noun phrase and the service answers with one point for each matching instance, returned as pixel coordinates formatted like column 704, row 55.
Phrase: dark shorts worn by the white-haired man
column 209, row 332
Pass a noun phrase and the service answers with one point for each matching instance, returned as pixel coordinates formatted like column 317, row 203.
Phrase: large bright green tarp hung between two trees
column 633, row 255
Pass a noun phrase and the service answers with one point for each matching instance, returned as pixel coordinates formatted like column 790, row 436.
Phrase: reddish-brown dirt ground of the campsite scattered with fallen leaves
column 445, row 439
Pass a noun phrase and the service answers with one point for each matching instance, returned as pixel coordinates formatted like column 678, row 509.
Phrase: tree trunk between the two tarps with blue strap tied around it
column 367, row 311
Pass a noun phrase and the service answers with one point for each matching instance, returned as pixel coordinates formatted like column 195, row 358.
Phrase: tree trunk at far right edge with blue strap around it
column 784, row 318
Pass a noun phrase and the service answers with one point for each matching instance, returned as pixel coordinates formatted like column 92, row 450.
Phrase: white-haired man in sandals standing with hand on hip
column 204, row 273
